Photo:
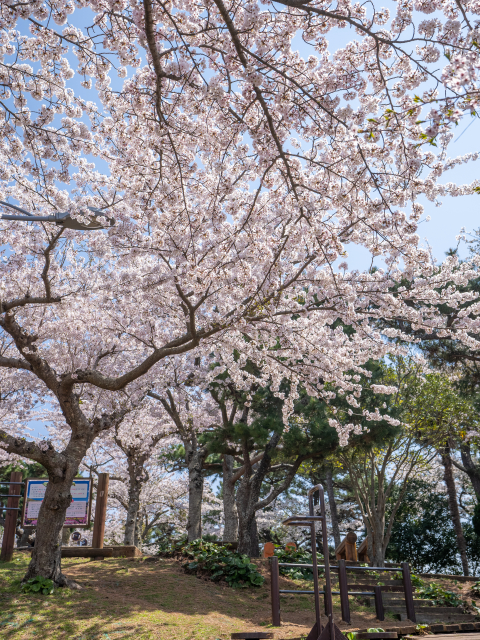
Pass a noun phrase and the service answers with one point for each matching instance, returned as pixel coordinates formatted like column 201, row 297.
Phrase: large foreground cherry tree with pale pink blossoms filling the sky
column 236, row 171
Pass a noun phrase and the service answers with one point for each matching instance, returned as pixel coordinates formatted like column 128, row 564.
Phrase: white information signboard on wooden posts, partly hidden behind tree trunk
column 78, row 513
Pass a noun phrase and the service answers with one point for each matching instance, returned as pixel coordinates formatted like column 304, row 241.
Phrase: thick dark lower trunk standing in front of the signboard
column 47, row 552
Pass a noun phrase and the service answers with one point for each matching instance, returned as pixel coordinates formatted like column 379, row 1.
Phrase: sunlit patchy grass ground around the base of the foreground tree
column 134, row 599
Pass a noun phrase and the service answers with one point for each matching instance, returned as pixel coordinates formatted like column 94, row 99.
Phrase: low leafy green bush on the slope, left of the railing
column 217, row 562
